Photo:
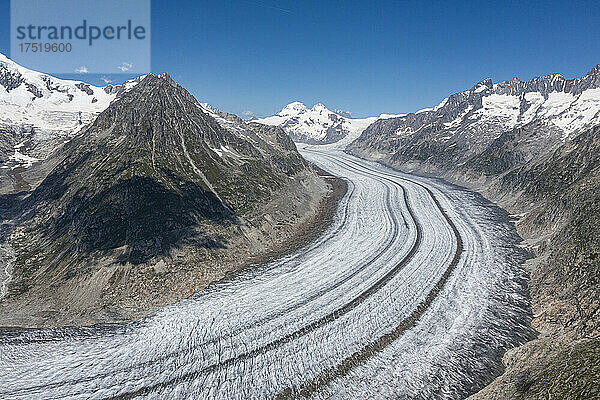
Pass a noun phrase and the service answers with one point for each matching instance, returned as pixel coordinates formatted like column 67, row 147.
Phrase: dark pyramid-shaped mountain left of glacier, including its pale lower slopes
column 156, row 198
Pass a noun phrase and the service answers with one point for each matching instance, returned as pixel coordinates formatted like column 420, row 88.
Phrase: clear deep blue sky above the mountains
column 366, row 57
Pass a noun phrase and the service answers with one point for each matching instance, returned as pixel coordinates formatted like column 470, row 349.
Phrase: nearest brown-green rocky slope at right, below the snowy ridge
column 559, row 195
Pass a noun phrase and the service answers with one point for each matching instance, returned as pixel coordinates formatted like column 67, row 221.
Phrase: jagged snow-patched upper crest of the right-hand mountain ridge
column 569, row 104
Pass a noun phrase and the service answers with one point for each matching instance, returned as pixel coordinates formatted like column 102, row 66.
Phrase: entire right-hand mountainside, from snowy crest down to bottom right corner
column 533, row 147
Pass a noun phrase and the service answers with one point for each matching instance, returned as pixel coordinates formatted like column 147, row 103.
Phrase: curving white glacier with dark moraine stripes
column 414, row 291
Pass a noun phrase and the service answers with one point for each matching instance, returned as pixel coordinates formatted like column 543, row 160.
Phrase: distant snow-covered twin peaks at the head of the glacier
column 318, row 125
